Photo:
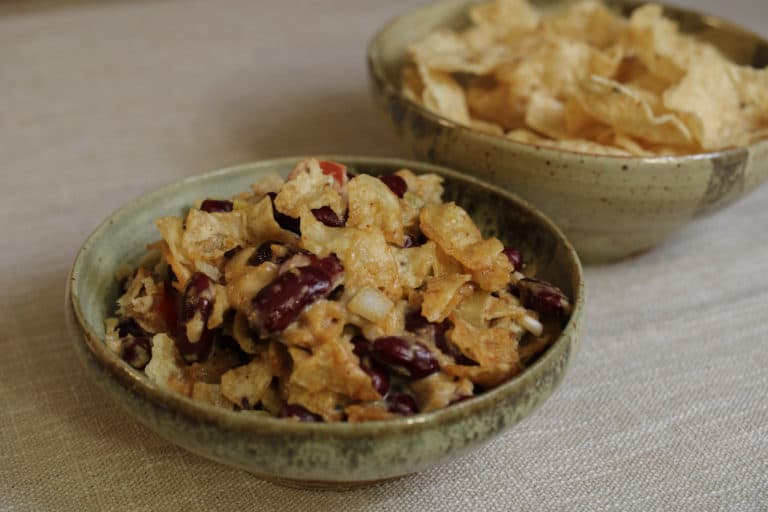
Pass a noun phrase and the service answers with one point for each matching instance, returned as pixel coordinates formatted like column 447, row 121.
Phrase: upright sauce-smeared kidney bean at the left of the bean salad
column 197, row 300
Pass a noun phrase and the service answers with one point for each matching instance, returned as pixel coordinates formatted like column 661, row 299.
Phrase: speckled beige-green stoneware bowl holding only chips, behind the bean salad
column 609, row 207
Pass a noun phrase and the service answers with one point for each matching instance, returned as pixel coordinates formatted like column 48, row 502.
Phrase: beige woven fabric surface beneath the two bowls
column 664, row 408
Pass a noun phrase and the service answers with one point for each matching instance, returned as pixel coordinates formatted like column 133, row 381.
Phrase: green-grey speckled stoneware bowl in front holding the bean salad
column 311, row 454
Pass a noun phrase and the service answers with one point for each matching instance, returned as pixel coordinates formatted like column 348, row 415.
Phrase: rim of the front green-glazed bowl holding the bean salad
column 135, row 381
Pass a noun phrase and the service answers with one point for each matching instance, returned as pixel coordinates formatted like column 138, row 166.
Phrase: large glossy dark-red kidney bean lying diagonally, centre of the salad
column 281, row 301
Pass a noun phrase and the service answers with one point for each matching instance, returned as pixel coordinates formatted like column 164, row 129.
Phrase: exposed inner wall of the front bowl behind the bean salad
column 122, row 238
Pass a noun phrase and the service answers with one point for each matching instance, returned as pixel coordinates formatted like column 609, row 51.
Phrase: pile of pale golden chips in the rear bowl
column 586, row 79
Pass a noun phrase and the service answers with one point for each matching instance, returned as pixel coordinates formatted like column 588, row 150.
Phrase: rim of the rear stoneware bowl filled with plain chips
column 375, row 69
